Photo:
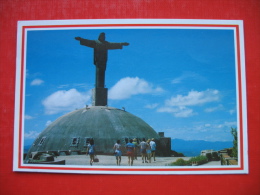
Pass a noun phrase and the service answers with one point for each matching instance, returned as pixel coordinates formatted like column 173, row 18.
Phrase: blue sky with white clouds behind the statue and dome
column 180, row 81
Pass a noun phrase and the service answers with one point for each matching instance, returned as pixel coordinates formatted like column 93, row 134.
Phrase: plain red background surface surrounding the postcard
column 13, row 11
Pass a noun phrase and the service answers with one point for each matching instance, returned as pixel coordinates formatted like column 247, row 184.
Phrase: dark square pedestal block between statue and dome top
column 99, row 96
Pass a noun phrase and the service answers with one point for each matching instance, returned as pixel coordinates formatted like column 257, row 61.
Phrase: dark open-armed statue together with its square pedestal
column 100, row 46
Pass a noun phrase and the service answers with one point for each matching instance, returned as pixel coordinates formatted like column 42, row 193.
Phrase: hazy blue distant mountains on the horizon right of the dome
column 194, row 147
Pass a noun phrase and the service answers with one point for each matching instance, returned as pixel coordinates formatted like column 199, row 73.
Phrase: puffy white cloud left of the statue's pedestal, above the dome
column 62, row 101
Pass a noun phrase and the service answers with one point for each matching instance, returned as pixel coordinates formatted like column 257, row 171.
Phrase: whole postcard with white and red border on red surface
column 131, row 96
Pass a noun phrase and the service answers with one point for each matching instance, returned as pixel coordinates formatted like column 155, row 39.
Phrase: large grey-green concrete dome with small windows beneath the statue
column 73, row 131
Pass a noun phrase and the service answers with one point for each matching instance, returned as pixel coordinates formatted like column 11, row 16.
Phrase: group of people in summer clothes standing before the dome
column 146, row 148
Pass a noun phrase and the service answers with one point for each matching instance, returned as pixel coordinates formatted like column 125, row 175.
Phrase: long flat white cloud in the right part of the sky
column 194, row 98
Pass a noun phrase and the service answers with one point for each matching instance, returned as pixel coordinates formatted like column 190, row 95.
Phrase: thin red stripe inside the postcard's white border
column 241, row 159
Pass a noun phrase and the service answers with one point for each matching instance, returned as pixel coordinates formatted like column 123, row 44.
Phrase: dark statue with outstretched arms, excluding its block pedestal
column 100, row 47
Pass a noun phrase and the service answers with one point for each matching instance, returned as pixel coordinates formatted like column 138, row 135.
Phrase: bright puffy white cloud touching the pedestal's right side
column 126, row 87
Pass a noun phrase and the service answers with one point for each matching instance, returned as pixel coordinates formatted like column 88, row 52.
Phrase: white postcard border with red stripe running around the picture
column 236, row 25
